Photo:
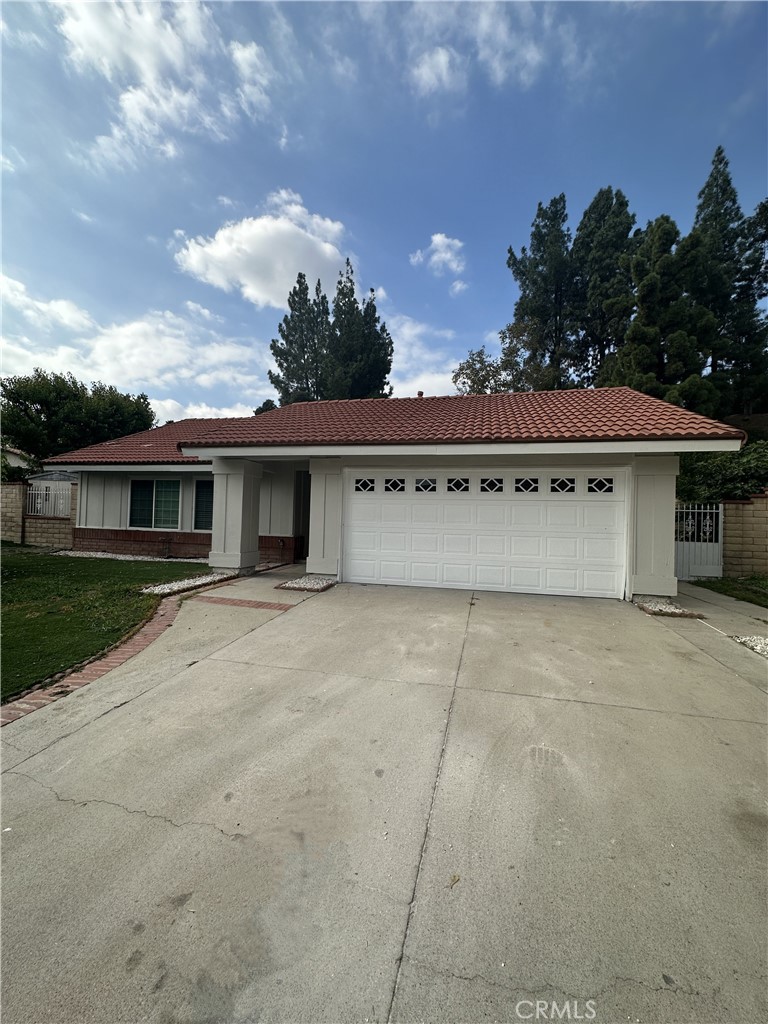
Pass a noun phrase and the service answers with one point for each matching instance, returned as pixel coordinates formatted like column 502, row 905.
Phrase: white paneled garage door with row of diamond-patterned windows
column 532, row 532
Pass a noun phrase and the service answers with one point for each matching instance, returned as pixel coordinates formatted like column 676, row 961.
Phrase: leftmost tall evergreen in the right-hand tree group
column 543, row 273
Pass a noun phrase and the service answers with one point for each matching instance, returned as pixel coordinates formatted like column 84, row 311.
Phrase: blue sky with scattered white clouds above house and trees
column 168, row 169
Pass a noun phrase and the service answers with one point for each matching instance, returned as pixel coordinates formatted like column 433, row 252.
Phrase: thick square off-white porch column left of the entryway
column 235, row 540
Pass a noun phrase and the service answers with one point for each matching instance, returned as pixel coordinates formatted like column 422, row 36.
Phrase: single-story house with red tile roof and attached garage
column 545, row 493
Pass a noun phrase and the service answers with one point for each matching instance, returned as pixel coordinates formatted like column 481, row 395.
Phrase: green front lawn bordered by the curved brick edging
column 59, row 612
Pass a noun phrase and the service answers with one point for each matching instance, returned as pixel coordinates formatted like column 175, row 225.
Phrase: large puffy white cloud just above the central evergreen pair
column 262, row 257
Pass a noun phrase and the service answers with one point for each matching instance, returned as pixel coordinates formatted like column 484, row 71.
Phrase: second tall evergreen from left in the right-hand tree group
column 602, row 300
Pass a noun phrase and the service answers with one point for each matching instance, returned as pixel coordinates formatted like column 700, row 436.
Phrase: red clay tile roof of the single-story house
column 605, row 414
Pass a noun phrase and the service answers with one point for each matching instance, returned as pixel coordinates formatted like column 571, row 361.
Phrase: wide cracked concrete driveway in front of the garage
column 395, row 804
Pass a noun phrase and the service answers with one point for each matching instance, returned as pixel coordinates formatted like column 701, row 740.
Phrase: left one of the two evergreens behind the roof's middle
column 301, row 354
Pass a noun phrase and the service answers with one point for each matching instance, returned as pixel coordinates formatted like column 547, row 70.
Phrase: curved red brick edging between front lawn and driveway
column 97, row 667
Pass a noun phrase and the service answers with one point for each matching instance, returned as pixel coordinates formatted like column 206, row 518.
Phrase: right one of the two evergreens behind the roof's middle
column 360, row 356
